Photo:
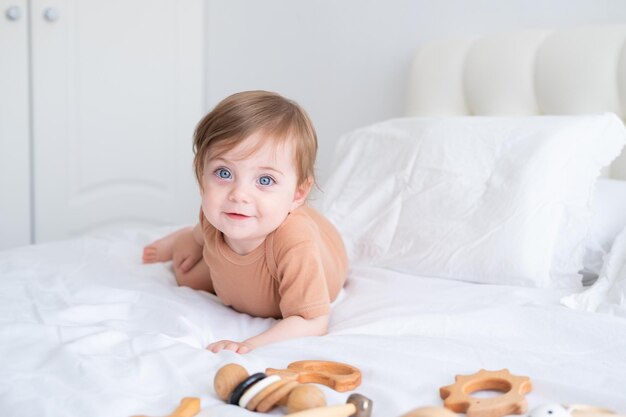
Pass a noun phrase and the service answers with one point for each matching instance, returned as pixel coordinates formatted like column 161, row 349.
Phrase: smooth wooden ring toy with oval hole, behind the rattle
column 338, row 376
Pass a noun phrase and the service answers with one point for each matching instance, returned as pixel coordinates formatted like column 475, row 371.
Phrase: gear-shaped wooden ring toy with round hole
column 456, row 396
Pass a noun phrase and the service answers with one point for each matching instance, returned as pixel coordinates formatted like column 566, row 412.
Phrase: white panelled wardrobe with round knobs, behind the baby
column 98, row 102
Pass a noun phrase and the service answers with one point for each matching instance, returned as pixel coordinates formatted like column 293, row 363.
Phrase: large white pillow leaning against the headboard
column 483, row 199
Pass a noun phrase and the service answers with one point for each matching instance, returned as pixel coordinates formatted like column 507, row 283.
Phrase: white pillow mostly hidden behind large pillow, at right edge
column 608, row 220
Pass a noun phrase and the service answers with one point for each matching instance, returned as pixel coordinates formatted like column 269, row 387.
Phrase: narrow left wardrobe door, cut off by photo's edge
column 15, row 211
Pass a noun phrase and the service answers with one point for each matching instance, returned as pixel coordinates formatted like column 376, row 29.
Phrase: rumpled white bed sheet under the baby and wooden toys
column 86, row 330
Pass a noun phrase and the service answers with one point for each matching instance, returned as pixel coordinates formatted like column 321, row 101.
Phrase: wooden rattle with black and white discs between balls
column 262, row 393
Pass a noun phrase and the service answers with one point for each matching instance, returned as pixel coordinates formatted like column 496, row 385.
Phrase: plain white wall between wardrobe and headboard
column 346, row 61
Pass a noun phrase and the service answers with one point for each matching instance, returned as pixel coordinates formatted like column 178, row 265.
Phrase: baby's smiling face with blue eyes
column 247, row 195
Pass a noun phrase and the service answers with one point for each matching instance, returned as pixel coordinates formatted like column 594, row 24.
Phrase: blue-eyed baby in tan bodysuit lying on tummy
column 258, row 246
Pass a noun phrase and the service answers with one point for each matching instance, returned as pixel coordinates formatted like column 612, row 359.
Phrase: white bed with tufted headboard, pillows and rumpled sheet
column 438, row 286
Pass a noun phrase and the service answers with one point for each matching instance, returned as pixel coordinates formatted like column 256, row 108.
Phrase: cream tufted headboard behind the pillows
column 565, row 71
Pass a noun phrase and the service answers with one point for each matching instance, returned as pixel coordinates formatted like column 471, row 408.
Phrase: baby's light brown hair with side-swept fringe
column 242, row 114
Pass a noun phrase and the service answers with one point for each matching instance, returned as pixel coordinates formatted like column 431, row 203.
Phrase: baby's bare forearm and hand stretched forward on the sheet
column 287, row 328
